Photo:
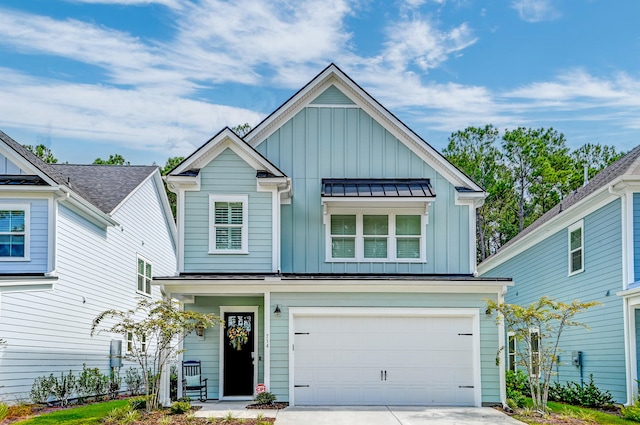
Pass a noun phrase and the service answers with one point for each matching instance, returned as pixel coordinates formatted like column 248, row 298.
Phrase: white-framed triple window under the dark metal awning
column 376, row 237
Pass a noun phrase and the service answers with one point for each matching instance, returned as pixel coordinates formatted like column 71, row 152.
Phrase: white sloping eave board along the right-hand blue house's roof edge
column 569, row 216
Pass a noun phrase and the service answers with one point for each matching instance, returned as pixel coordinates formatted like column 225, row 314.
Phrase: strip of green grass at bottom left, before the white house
column 83, row 415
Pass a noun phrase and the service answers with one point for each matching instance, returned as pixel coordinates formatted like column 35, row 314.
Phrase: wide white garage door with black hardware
column 374, row 360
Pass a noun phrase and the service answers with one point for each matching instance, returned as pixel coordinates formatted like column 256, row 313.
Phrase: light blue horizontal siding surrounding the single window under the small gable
column 228, row 174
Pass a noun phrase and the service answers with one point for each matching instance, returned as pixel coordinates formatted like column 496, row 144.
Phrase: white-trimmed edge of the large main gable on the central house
column 334, row 76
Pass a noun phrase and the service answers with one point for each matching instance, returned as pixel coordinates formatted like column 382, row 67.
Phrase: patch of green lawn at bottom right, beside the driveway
column 574, row 415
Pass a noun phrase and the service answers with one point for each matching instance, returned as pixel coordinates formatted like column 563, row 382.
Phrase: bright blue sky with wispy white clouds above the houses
column 151, row 79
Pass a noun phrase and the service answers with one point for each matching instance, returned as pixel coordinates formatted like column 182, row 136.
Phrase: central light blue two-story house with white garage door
column 339, row 248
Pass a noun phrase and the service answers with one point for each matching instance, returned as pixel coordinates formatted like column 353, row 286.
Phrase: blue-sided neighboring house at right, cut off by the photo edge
column 587, row 248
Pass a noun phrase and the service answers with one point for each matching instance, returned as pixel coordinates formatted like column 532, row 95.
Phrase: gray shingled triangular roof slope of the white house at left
column 105, row 186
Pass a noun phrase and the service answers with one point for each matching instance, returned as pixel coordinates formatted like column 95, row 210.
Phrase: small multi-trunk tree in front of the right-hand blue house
column 537, row 329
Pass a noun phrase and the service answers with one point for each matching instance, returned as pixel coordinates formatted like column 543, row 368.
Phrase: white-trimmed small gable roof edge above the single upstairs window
column 192, row 164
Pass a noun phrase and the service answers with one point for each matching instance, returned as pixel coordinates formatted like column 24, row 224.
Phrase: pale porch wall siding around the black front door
column 207, row 348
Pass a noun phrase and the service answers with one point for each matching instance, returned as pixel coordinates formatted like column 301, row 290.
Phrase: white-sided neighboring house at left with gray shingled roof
column 75, row 240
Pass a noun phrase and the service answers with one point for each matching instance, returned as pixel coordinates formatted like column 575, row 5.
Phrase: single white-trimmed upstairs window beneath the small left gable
column 228, row 218
